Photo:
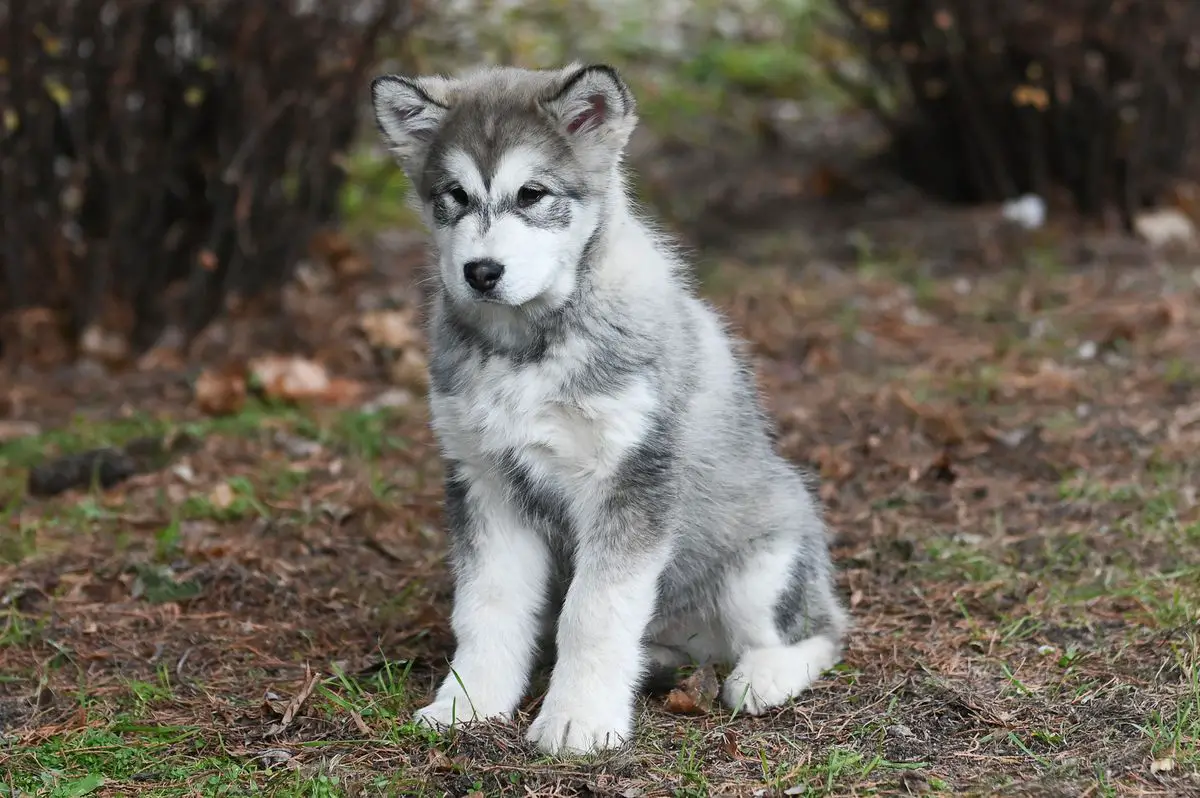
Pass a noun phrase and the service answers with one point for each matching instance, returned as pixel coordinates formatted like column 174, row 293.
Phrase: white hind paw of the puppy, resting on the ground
column 766, row 679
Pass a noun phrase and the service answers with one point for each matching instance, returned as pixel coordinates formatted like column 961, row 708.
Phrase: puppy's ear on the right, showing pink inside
column 595, row 109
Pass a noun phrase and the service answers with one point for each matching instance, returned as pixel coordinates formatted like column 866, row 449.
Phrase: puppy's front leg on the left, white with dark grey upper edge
column 502, row 572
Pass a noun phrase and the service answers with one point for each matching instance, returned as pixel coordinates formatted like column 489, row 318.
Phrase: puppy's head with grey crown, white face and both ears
column 511, row 170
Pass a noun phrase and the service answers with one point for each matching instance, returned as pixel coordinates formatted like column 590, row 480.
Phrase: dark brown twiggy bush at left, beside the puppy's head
column 160, row 157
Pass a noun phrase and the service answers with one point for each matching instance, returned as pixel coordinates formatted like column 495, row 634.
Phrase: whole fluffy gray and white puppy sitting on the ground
column 608, row 460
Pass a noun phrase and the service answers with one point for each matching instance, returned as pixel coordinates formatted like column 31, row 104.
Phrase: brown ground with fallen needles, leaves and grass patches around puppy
column 1009, row 453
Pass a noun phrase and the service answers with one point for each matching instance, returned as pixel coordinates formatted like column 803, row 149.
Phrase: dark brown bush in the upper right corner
column 992, row 99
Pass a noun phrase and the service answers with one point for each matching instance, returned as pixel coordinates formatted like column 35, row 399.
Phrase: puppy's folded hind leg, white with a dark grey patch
column 784, row 625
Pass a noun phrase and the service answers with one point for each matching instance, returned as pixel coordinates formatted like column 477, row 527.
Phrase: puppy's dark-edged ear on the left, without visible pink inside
column 409, row 112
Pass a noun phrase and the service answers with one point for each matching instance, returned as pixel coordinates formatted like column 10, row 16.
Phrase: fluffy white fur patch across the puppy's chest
column 529, row 415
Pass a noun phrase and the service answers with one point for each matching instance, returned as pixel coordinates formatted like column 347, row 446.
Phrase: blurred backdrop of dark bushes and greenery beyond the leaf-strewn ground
column 164, row 160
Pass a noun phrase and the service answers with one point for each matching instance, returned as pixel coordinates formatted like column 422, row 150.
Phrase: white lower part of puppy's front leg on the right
column 590, row 705
